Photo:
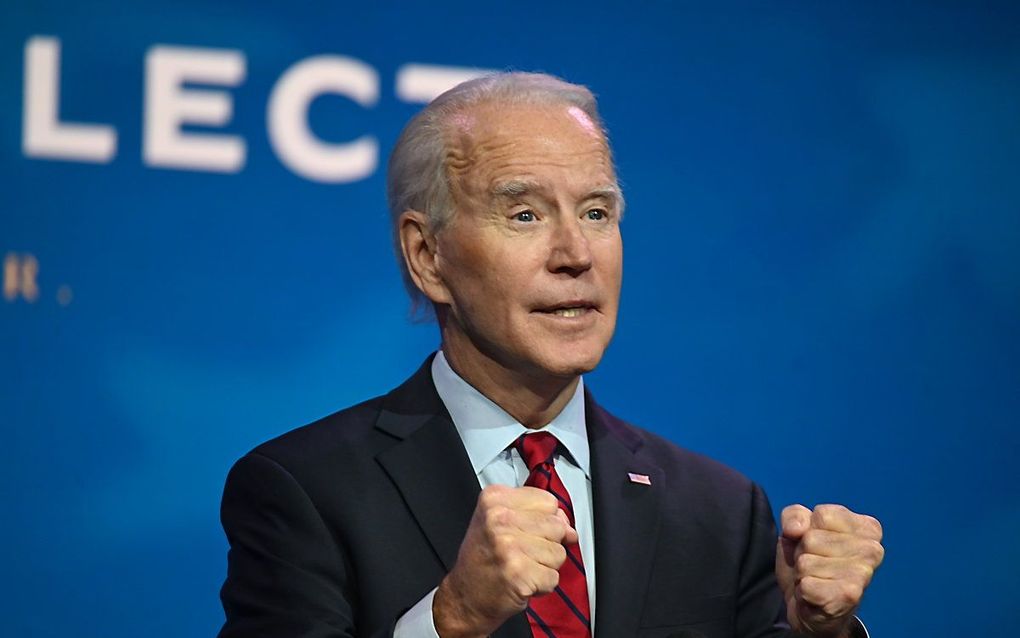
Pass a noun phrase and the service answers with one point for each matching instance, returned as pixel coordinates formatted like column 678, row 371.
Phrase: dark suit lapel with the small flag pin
column 627, row 522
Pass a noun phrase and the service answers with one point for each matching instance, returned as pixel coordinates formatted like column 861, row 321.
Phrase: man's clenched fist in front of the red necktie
column 513, row 551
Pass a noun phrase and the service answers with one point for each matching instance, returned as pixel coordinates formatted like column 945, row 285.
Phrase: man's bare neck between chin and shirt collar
column 533, row 400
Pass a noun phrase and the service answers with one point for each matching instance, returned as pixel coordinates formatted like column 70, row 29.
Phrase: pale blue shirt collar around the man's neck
column 487, row 429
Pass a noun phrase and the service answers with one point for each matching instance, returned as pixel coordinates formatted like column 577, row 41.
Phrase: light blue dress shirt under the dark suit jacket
column 488, row 431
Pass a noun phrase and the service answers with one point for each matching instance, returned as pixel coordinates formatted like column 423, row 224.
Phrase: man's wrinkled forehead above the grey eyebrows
column 493, row 142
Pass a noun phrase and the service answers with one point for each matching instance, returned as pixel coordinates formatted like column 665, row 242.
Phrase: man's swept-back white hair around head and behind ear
column 418, row 177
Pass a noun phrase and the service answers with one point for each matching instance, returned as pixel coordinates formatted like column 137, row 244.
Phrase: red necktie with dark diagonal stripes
column 564, row 613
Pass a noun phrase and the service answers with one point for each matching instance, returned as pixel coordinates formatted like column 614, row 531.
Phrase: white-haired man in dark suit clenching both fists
column 490, row 495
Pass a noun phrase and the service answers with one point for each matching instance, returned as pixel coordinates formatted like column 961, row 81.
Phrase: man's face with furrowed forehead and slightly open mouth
column 532, row 260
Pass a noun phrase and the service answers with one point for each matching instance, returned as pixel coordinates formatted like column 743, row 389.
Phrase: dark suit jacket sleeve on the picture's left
column 286, row 574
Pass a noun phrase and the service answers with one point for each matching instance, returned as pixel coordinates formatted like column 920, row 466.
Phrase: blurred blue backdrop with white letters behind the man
column 823, row 281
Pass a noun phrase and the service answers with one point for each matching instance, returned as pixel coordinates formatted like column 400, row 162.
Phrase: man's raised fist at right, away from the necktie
column 825, row 561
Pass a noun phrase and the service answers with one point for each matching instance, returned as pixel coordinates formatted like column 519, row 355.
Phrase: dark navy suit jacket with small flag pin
column 338, row 528
